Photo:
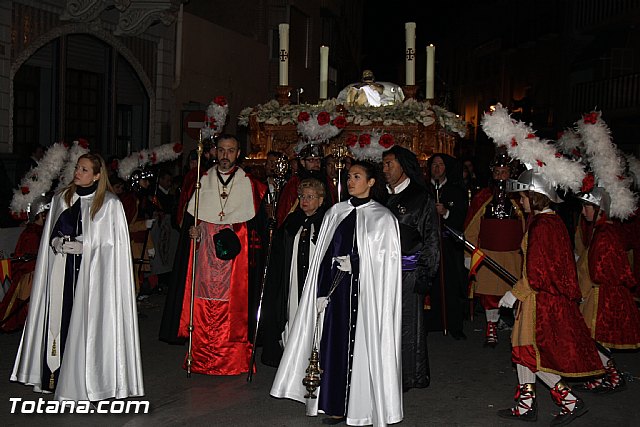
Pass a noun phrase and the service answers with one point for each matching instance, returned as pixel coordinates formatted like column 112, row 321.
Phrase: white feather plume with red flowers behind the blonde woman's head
column 38, row 181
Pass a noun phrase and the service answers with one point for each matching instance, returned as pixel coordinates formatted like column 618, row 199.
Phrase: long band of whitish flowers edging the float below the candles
column 408, row 112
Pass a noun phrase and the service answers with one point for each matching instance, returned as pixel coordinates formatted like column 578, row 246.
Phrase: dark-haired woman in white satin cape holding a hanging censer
column 351, row 311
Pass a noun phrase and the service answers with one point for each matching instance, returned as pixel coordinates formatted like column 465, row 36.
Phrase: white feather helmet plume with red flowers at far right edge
column 607, row 166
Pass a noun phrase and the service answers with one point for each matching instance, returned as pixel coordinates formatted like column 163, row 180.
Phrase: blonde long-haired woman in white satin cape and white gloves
column 81, row 336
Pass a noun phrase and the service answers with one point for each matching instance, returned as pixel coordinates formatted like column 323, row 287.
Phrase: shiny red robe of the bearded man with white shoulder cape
column 220, row 344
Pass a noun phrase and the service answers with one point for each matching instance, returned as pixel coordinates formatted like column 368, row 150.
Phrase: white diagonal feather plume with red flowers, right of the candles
column 522, row 144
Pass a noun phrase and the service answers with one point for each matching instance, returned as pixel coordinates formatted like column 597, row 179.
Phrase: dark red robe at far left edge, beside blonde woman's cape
column 27, row 245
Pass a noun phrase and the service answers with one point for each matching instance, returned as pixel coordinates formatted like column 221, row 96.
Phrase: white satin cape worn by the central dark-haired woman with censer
column 375, row 395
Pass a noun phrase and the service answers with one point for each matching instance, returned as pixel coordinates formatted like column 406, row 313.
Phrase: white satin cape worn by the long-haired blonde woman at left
column 102, row 353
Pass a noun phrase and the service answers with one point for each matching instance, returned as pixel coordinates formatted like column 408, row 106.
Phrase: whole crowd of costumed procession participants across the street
column 355, row 260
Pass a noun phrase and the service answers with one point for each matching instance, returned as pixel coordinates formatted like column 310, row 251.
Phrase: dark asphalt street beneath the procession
column 469, row 383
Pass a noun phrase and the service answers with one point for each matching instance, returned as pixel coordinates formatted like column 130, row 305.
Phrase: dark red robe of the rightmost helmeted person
column 617, row 323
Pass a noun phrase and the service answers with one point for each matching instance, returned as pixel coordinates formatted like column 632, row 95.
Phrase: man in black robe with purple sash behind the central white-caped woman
column 414, row 207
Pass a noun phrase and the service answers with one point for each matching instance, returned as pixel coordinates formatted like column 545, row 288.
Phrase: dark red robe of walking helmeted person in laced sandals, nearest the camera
column 561, row 340
